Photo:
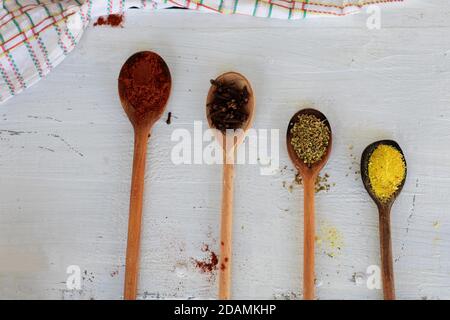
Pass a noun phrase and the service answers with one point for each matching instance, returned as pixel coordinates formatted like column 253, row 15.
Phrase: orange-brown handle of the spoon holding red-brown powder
column 135, row 218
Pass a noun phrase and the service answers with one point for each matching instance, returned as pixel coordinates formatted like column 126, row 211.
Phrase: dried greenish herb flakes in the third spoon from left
column 310, row 138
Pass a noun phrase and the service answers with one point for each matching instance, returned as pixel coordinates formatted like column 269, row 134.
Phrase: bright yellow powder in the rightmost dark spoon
column 386, row 171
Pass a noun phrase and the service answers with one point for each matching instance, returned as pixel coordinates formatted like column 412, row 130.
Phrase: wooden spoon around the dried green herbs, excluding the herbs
column 309, row 176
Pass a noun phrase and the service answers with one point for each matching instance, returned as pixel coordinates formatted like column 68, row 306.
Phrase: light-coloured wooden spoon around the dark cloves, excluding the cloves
column 229, row 150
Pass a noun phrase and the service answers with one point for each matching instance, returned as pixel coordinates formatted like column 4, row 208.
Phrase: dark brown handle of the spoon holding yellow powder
column 387, row 269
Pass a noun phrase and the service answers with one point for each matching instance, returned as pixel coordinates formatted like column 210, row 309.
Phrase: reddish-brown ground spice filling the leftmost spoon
column 146, row 81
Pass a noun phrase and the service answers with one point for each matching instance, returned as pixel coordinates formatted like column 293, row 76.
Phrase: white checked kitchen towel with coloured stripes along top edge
column 36, row 35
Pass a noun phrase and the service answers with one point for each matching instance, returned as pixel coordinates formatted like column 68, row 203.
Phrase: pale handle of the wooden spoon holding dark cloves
column 226, row 232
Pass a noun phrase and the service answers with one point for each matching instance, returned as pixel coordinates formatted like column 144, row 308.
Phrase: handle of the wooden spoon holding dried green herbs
column 309, row 238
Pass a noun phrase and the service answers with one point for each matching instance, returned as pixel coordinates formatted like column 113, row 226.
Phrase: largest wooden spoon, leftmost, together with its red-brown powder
column 144, row 88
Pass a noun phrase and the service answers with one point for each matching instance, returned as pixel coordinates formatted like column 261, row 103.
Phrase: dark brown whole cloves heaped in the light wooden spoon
column 228, row 108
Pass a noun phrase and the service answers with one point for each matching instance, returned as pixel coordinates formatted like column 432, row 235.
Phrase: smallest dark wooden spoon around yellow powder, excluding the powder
column 384, row 210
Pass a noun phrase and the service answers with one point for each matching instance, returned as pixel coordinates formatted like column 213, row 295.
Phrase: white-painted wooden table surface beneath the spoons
column 66, row 152
